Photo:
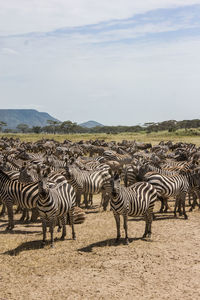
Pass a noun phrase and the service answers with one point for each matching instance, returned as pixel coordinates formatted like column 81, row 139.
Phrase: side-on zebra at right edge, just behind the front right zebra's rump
column 176, row 185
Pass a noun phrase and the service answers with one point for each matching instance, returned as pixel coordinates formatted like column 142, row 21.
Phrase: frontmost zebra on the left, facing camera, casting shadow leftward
column 54, row 204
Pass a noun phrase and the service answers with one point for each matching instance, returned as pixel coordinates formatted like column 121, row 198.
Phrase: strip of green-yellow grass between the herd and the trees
column 190, row 136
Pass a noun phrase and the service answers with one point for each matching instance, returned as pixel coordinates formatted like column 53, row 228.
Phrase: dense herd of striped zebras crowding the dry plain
column 49, row 178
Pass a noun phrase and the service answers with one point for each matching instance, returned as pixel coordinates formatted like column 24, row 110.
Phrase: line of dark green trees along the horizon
column 66, row 127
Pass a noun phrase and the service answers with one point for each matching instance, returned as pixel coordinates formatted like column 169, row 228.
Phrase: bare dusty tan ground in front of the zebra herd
column 94, row 267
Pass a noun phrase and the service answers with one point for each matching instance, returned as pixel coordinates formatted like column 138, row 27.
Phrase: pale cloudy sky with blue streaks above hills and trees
column 118, row 62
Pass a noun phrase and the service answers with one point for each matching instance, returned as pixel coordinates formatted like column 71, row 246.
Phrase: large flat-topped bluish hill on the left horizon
column 31, row 117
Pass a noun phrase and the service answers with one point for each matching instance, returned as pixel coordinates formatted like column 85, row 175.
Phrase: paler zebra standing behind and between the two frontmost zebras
column 86, row 182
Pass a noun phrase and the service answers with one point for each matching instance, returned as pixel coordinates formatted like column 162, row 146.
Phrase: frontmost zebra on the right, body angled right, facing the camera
column 135, row 200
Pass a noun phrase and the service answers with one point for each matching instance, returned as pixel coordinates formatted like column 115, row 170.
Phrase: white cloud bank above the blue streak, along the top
column 22, row 16
